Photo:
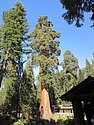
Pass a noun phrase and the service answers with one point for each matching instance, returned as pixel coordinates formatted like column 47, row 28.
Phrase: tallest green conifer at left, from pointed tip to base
column 13, row 34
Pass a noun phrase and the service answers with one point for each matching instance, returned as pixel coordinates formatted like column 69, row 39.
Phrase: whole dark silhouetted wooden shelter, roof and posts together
column 82, row 98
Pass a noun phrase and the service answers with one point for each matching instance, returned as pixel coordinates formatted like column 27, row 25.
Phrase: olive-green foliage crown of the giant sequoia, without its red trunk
column 45, row 48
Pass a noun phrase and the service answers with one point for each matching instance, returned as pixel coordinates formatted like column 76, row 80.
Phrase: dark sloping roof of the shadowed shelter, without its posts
column 84, row 91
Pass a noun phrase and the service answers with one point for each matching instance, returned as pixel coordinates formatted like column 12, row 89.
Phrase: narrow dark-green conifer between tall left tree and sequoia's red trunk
column 28, row 91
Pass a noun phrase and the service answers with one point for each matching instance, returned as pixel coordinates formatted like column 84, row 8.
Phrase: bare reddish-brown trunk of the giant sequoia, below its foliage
column 45, row 108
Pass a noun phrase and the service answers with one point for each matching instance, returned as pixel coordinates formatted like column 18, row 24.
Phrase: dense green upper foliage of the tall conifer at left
column 14, row 30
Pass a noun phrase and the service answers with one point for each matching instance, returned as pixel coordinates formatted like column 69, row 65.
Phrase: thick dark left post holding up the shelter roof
column 78, row 112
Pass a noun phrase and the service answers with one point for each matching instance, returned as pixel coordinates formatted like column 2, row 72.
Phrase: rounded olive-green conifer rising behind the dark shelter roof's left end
column 71, row 67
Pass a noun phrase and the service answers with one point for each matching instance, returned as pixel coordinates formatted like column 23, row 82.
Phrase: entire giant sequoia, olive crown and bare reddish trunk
column 45, row 50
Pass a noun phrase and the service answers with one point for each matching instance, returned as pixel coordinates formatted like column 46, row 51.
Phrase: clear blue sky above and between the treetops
column 78, row 40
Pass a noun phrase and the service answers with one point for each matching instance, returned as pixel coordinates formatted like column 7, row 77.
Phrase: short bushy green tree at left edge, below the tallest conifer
column 8, row 93
